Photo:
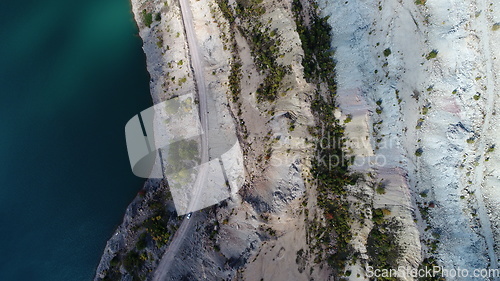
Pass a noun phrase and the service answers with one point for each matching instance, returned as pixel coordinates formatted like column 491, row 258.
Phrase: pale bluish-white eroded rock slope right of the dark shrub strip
column 425, row 71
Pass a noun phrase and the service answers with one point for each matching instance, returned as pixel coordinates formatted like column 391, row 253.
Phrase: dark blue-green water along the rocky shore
column 71, row 75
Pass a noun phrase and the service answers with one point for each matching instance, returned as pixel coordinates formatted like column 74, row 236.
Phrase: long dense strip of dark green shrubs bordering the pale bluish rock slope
column 329, row 166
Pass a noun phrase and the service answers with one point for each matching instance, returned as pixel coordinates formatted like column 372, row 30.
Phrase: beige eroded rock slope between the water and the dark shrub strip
column 265, row 211
